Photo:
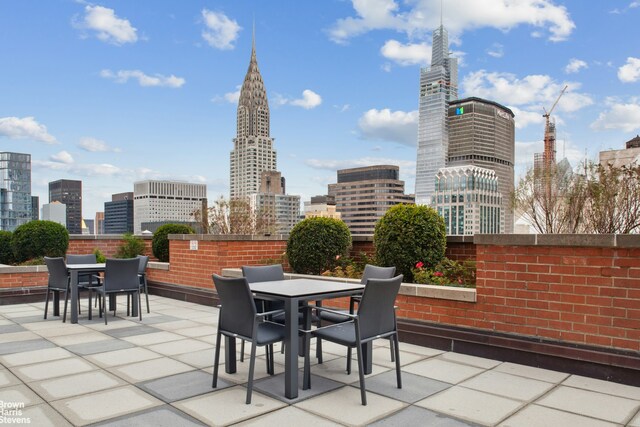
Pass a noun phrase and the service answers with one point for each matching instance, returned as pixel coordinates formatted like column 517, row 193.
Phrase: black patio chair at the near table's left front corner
column 239, row 318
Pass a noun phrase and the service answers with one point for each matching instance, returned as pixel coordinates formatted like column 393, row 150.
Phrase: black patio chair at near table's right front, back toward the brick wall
column 376, row 318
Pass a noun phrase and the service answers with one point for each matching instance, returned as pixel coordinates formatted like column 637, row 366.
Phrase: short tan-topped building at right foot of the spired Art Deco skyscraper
column 279, row 211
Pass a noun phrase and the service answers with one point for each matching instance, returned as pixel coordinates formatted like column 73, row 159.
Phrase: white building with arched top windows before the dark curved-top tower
column 468, row 199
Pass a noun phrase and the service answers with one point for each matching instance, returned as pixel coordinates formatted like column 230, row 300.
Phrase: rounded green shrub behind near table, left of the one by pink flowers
column 315, row 243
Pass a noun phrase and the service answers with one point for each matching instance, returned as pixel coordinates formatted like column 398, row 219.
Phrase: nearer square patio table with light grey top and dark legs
column 292, row 292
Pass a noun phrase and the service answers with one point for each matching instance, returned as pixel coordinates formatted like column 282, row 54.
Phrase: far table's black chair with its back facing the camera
column 120, row 276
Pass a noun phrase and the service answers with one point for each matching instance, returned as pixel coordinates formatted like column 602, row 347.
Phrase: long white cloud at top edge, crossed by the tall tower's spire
column 418, row 17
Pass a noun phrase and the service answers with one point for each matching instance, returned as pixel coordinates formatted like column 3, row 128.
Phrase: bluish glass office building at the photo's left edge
column 15, row 190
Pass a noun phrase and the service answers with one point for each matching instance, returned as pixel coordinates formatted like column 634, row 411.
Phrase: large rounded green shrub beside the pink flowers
column 408, row 234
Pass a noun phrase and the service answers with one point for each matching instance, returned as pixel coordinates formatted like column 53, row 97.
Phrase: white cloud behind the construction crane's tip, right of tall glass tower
column 534, row 91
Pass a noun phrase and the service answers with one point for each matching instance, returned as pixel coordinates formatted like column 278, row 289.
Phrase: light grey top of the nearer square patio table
column 303, row 287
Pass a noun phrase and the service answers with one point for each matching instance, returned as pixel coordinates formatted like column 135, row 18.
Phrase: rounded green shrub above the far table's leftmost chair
column 39, row 238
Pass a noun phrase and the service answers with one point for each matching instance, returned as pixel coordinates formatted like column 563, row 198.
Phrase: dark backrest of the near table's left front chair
column 238, row 309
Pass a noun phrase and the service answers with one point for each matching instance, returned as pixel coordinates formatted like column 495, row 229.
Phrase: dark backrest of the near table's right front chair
column 376, row 310
